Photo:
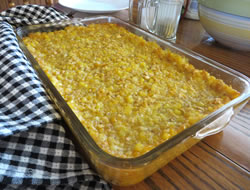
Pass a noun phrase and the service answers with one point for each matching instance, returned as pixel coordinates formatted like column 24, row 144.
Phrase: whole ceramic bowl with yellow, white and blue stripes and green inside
column 227, row 21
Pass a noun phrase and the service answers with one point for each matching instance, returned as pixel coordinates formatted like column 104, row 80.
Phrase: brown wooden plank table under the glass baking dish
column 220, row 161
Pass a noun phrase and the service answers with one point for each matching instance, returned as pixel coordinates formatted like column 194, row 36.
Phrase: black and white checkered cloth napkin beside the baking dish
column 35, row 152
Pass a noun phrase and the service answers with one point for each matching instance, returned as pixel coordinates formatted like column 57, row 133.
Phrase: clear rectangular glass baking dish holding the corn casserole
column 122, row 171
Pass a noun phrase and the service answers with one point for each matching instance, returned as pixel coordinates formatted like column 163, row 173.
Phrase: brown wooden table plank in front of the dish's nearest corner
column 201, row 167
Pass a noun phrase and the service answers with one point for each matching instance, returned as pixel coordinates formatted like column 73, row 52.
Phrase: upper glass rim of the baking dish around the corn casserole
column 156, row 151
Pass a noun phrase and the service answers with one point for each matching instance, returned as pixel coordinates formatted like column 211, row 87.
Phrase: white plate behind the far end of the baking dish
column 96, row 6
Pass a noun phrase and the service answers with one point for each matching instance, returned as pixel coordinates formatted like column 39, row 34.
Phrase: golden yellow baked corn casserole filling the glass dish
column 129, row 94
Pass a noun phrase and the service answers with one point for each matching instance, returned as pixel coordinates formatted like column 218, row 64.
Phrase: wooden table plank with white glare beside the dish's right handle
column 234, row 141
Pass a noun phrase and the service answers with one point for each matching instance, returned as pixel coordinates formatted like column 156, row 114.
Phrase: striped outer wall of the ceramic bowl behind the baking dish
column 228, row 29
